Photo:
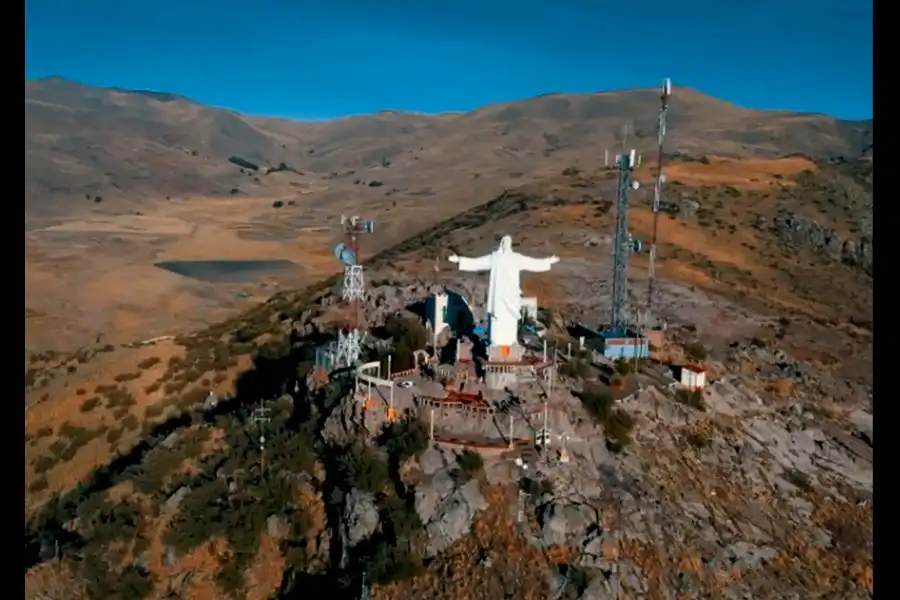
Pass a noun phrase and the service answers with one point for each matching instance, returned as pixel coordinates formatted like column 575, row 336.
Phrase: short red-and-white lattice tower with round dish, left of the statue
column 353, row 290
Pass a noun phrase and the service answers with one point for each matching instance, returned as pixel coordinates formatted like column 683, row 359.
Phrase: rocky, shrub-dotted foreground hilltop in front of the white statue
column 759, row 486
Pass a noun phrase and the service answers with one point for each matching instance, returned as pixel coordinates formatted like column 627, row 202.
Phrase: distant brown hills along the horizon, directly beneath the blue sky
column 83, row 142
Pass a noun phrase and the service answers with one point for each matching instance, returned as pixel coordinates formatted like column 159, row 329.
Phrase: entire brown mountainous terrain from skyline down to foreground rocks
column 764, row 267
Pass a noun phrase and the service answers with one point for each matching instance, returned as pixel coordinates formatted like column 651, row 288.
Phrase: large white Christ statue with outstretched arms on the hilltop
column 504, row 305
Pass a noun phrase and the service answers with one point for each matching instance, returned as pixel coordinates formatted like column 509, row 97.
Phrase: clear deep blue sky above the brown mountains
column 321, row 59
